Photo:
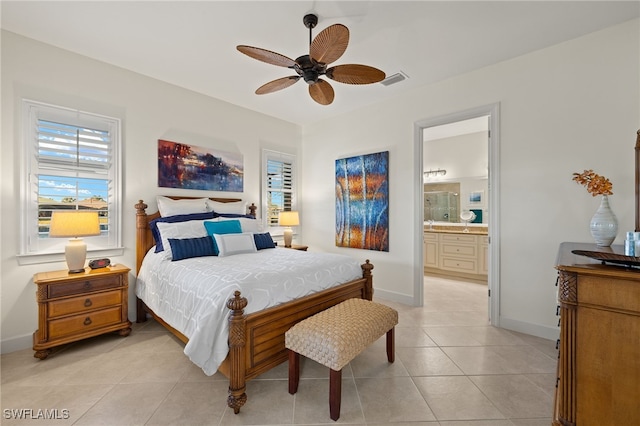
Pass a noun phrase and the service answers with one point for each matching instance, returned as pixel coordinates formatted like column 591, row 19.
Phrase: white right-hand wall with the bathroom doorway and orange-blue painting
column 562, row 109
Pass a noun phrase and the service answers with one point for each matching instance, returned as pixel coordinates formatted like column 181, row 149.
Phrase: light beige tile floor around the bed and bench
column 451, row 369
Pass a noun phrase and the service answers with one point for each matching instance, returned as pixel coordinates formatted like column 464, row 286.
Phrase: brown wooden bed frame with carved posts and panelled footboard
column 256, row 340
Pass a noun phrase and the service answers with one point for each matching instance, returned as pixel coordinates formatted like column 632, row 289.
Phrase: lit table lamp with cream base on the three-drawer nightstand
column 74, row 224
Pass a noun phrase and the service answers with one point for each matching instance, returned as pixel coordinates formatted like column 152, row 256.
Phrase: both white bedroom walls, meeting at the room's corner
column 563, row 109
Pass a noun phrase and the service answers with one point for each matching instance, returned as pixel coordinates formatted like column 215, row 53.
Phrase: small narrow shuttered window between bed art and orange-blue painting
column 278, row 187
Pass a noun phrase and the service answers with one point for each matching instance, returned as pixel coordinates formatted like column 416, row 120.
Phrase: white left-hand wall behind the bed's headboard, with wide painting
column 150, row 110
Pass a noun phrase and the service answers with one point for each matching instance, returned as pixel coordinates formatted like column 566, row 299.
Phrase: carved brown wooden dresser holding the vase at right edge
column 599, row 359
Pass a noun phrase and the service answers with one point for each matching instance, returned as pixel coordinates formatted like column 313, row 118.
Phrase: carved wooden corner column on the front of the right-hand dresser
column 568, row 295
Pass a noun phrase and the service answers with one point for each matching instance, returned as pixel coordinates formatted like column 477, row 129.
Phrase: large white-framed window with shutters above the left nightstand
column 71, row 162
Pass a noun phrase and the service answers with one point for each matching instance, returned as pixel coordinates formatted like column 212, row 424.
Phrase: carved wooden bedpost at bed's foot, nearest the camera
column 237, row 384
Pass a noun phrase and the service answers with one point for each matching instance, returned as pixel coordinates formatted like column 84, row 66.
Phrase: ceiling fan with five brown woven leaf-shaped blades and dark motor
column 327, row 47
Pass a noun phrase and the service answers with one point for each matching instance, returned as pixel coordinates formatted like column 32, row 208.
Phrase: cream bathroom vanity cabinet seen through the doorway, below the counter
column 456, row 254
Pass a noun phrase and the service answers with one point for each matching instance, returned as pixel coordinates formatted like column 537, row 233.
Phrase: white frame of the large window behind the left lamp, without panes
column 34, row 250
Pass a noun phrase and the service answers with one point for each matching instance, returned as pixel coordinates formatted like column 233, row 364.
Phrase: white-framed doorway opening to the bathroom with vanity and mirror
column 457, row 164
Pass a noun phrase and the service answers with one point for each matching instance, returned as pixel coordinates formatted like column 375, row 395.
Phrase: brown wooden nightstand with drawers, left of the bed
column 73, row 307
